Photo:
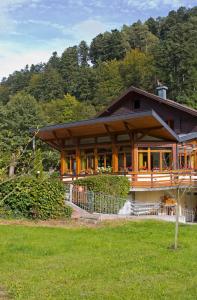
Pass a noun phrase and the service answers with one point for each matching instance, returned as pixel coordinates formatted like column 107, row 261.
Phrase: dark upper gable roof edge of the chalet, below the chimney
column 151, row 96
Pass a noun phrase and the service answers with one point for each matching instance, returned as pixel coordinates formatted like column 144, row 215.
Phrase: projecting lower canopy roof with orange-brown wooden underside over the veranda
column 148, row 121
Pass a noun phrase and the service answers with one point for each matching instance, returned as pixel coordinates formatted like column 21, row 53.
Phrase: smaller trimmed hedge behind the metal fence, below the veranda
column 107, row 184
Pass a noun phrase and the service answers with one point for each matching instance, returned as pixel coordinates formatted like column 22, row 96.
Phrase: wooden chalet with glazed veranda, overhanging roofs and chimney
column 146, row 137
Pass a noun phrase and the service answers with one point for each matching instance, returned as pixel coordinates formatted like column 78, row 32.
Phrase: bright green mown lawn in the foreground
column 122, row 261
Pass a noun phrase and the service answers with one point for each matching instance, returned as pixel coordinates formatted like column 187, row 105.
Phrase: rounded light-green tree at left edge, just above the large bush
column 16, row 118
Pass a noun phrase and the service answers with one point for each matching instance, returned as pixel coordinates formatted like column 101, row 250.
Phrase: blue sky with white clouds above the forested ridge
column 30, row 30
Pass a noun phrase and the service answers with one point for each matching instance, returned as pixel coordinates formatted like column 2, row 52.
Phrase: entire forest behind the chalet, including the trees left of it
column 85, row 78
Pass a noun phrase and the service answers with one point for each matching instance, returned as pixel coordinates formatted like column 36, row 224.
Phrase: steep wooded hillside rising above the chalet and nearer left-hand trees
column 161, row 49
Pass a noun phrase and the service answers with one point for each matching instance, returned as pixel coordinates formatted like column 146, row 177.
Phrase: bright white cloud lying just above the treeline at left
column 14, row 56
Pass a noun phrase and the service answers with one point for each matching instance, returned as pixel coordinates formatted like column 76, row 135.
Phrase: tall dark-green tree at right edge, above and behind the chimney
column 176, row 59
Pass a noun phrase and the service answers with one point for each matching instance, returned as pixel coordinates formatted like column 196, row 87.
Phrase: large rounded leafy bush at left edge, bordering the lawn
column 35, row 198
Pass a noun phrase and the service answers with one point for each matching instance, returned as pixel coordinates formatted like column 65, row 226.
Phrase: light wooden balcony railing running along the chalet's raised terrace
column 150, row 180
